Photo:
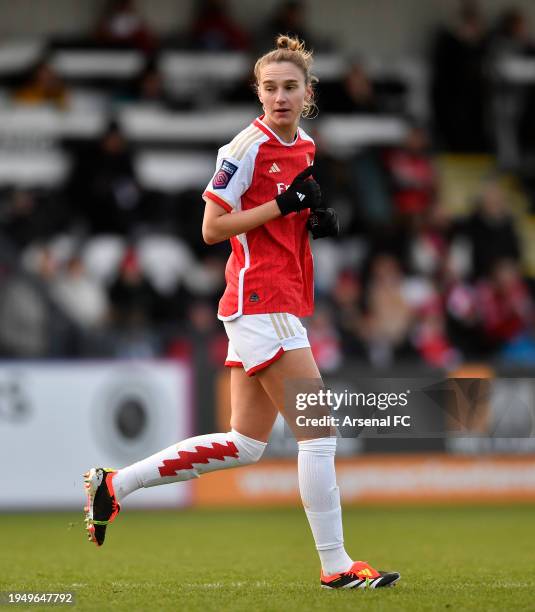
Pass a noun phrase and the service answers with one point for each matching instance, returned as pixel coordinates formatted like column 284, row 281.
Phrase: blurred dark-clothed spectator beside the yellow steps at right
column 491, row 231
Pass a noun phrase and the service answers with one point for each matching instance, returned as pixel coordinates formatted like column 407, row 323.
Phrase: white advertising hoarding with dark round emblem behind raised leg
column 59, row 419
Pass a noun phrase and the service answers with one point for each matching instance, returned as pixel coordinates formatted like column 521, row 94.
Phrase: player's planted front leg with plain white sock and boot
column 317, row 480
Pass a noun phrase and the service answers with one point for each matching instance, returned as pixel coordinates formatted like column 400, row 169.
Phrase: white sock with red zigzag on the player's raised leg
column 189, row 459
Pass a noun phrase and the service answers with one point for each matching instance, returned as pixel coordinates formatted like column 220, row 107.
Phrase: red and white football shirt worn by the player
column 270, row 268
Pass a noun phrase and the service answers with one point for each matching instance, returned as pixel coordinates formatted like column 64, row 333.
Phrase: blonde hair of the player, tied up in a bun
column 290, row 49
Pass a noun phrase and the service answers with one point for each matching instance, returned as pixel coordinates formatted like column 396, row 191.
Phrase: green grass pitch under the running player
column 469, row 558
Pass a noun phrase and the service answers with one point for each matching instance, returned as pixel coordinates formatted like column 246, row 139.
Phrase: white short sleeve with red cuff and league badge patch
column 231, row 180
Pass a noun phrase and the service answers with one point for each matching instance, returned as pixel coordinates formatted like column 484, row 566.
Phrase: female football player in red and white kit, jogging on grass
column 263, row 199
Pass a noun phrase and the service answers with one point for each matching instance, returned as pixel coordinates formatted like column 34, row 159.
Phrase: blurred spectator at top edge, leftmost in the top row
column 121, row 25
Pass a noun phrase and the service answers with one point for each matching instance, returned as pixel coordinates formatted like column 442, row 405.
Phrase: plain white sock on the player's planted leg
column 321, row 500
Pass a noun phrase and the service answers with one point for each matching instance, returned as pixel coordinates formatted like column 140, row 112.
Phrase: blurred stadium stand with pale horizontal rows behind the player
column 106, row 145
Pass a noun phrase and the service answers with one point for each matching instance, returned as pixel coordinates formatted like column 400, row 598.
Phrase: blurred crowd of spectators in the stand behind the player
column 104, row 267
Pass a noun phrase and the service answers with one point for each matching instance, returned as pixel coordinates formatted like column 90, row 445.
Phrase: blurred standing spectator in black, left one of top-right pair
column 459, row 96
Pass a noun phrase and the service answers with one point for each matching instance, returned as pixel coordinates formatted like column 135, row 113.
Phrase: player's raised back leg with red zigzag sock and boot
column 252, row 419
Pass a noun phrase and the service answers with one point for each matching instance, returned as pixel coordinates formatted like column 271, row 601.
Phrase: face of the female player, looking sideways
column 282, row 92
